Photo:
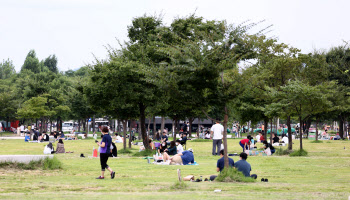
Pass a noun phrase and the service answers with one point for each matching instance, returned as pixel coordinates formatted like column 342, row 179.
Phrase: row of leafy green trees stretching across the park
column 192, row 68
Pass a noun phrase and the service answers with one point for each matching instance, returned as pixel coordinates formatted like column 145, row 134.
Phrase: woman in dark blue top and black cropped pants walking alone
column 104, row 152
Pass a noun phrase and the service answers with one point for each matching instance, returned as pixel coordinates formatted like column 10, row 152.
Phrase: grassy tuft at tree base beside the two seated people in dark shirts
column 233, row 175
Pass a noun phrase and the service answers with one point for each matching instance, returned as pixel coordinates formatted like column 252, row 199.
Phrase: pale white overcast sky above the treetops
column 74, row 30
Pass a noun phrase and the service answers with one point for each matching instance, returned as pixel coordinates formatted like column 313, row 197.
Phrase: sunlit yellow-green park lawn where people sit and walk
column 324, row 174
